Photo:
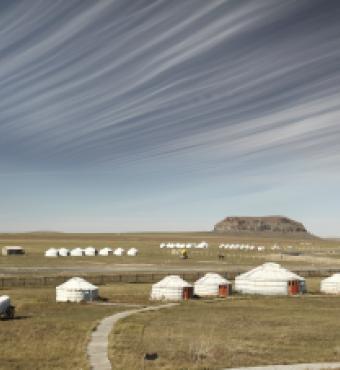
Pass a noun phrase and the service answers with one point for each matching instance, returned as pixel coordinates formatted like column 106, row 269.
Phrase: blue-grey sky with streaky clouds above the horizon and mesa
column 128, row 115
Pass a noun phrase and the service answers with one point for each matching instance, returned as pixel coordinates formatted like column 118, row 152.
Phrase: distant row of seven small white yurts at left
column 89, row 251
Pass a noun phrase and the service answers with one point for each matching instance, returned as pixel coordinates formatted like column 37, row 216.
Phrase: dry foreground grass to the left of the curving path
column 50, row 335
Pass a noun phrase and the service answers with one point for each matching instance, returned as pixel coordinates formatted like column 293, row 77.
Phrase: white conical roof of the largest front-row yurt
column 269, row 272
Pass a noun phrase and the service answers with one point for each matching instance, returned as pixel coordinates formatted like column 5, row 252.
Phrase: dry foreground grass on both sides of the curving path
column 208, row 334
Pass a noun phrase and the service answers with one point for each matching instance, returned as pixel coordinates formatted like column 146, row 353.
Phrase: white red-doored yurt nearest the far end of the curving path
column 172, row 288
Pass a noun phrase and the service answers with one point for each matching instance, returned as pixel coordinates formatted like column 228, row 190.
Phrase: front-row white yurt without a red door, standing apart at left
column 76, row 290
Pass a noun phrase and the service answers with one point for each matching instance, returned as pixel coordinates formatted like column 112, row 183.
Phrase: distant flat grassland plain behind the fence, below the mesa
column 316, row 252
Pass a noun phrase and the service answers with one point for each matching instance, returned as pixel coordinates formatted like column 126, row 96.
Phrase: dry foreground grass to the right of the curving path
column 239, row 331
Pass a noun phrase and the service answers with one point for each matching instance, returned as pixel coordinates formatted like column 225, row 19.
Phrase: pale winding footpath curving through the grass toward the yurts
column 97, row 349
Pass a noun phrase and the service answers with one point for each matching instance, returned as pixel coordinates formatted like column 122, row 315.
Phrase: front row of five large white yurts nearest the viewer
column 267, row 279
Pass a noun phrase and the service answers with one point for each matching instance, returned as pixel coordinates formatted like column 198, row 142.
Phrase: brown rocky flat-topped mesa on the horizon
column 267, row 224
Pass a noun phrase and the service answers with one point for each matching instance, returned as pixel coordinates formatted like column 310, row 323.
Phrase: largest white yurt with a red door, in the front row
column 270, row 279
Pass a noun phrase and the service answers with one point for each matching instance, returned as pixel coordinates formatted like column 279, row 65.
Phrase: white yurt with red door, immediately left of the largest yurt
column 212, row 285
